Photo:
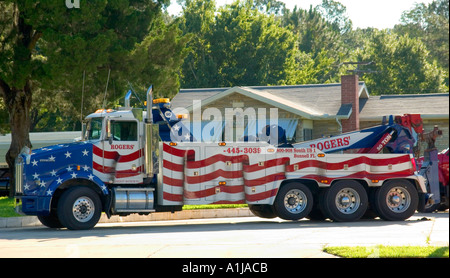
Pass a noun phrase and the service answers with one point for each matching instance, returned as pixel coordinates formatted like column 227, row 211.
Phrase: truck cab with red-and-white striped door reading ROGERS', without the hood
column 118, row 148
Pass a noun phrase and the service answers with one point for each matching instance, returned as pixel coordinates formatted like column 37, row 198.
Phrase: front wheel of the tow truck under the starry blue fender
column 79, row 208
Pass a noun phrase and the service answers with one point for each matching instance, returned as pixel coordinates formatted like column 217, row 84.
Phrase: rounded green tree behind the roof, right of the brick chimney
column 401, row 65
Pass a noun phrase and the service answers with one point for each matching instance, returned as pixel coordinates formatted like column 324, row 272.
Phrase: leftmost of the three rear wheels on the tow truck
column 294, row 201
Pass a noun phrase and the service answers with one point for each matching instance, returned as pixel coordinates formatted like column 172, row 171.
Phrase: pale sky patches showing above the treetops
column 379, row 14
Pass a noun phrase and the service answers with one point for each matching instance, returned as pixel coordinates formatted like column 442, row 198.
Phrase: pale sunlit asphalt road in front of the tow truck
column 243, row 237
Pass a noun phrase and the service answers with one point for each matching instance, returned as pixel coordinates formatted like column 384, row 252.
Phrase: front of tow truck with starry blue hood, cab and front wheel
column 110, row 169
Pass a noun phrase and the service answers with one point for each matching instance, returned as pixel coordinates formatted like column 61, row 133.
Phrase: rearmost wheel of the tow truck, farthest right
column 396, row 200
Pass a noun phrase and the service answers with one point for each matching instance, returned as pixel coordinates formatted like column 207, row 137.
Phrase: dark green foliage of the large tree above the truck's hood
column 94, row 41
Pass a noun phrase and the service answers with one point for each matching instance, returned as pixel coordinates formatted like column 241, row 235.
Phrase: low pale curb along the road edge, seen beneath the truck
column 32, row 221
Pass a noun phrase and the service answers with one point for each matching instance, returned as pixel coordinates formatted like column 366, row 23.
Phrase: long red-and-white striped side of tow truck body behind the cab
column 195, row 173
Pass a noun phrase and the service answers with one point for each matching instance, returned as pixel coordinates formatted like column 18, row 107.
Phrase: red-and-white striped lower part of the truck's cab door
column 120, row 168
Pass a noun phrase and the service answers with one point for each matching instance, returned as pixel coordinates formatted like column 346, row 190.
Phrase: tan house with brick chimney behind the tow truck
column 307, row 111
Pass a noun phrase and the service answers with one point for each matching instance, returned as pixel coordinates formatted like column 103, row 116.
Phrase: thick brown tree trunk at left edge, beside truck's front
column 18, row 103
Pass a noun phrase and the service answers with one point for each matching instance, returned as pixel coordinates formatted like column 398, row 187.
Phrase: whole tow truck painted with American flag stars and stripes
column 143, row 160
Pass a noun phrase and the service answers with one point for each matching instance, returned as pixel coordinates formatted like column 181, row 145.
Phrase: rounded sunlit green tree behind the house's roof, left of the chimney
column 251, row 48
